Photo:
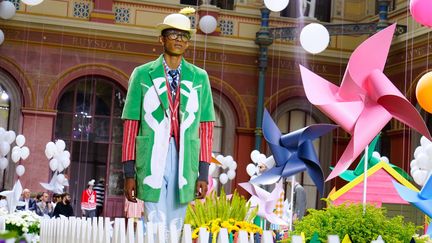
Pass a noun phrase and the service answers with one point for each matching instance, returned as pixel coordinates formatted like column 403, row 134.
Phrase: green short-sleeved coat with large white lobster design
column 147, row 102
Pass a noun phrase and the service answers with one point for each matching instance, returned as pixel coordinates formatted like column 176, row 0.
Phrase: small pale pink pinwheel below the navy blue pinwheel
column 265, row 201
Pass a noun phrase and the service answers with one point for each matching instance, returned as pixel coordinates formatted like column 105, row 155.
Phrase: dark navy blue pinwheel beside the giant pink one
column 293, row 152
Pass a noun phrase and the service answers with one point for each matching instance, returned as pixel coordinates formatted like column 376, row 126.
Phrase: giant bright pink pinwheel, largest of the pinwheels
column 366, row 100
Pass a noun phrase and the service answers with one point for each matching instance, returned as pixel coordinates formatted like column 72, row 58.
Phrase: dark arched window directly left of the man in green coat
column 89, row 121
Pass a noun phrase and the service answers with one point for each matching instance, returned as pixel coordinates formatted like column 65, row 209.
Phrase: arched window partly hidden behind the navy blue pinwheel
column 292, row 116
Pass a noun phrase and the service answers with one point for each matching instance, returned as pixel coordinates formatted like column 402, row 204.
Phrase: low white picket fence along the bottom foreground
column 100, row 230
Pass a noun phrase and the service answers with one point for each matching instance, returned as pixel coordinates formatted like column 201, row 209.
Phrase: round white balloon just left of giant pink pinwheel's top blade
column 314, row 38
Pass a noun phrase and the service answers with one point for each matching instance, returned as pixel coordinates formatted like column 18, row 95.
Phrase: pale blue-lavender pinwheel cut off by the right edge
column 421, row 200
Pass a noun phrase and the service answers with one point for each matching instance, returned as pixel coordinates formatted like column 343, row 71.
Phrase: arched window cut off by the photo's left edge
column 10, row 118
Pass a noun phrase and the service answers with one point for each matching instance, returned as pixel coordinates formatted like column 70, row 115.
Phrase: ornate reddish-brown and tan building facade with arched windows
column 65, row 66
